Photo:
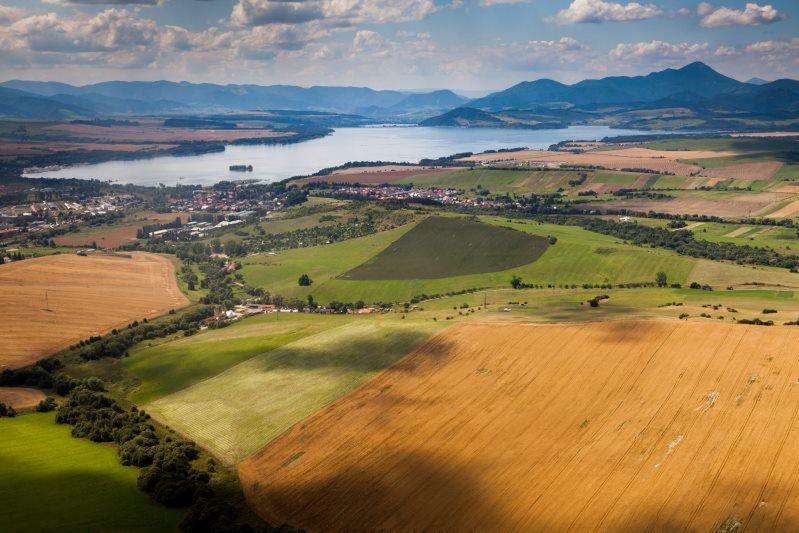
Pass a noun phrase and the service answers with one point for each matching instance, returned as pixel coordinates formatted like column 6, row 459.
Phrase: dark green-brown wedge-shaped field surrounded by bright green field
column 440, row 247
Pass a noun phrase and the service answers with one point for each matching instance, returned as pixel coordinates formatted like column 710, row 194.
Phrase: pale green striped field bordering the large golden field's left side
column 237, row 412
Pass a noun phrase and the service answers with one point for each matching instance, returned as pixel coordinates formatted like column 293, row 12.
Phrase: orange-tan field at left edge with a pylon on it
column 48, row 303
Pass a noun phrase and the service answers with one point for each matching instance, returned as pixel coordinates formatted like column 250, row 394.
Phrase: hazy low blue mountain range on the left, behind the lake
column 129, row 98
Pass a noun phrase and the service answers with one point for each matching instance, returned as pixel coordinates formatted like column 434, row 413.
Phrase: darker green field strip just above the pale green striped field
column 169, row 367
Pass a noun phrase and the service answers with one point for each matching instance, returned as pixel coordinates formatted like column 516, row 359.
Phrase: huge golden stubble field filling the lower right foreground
column 616, row 426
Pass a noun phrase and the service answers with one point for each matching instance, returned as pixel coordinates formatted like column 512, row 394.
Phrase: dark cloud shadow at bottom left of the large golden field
column 407, row 490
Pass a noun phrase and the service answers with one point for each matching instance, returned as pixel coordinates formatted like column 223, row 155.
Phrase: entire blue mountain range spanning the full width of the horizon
column 692, row 97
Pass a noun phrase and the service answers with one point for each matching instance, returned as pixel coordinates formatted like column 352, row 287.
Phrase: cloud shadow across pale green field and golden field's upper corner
column 359, row 353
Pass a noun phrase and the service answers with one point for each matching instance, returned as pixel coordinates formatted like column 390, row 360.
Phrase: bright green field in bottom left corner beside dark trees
column 51, row 481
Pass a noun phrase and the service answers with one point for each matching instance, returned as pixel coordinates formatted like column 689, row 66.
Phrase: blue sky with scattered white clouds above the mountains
column 471, row 46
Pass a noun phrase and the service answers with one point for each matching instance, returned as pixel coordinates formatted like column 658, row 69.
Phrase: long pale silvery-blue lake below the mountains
column 277, row 162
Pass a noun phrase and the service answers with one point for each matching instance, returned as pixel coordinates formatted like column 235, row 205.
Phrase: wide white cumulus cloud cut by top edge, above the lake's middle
column 335, row 12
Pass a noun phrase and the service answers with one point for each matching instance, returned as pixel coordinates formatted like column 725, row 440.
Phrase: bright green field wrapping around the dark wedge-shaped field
column 578, row 257
